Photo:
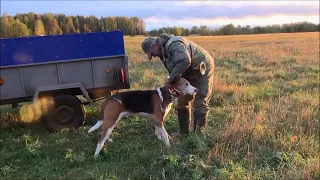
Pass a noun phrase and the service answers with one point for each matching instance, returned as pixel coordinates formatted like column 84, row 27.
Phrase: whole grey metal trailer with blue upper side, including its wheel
column 52, row 71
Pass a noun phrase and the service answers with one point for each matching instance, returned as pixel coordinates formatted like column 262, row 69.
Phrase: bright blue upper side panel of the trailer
column 59, row 48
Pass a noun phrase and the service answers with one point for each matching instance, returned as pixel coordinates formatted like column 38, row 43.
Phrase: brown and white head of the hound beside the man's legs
column 181, row 86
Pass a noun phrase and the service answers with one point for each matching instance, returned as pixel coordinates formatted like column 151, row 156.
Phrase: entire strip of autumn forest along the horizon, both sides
column 33, row 24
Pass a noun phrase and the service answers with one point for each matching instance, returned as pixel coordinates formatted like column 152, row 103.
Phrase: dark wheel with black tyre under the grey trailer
column 67, row 112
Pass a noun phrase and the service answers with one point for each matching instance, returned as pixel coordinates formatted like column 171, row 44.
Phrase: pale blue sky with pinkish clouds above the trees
column 157, row 14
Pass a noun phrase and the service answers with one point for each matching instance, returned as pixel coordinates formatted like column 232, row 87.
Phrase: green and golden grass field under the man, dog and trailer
column 264, row 122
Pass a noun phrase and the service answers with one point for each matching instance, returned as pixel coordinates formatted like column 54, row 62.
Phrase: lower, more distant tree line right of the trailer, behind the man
column 230, row 29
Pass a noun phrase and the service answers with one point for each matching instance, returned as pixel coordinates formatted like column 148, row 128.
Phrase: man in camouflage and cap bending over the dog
column 184, row 58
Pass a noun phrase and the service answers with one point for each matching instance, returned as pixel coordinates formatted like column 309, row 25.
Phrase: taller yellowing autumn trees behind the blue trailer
column 31, row 23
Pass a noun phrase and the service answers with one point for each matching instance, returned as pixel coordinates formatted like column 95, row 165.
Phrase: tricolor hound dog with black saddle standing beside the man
column 153, row 104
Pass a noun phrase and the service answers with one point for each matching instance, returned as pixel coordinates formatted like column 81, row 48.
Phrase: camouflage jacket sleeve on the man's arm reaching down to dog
column 181, row 59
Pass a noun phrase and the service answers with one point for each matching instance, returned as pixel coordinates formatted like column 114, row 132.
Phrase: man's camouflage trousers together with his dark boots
column 204, row 84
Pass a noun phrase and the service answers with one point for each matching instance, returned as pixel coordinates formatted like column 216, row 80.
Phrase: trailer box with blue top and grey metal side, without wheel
column 96, row 61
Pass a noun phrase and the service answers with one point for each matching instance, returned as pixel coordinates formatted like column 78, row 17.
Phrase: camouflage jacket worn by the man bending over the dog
column 182, row 57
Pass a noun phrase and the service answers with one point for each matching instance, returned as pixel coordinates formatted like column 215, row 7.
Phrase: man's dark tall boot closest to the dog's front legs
column 184, row 119
